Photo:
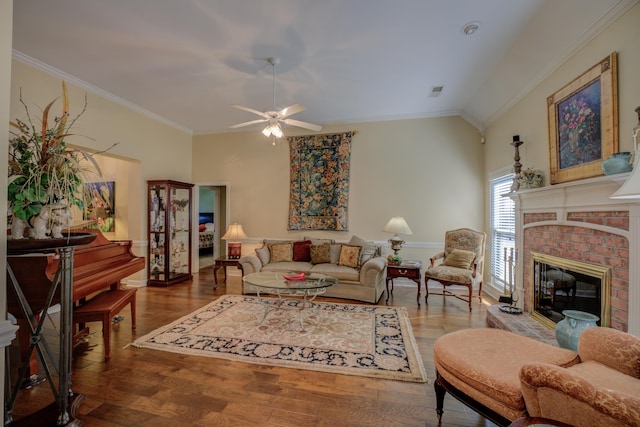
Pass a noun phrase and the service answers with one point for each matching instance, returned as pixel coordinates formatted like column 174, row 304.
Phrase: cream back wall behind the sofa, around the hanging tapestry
column 428, row 170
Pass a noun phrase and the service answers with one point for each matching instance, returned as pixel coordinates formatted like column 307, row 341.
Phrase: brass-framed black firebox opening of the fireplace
column 563, row 284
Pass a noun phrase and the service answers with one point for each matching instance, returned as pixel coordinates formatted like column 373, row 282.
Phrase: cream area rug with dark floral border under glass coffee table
column 371, row 341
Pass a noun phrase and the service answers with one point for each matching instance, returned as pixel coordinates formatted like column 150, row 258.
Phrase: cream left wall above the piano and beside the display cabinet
column 160, row 151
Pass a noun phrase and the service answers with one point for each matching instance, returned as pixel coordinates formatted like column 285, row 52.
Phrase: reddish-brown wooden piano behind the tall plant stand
column 97, row 266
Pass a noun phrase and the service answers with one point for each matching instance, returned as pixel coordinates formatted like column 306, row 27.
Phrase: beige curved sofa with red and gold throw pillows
column 358, row 265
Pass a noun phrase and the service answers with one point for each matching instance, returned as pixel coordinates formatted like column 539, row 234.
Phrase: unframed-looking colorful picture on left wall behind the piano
column 100, row 210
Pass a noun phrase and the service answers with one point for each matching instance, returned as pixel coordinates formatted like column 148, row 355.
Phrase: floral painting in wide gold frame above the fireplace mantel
column 583, row 123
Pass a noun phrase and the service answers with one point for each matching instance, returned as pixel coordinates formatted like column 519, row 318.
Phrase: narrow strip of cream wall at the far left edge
column 6, row 28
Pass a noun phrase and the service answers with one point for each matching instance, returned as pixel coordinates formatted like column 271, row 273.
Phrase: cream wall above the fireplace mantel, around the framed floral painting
column 528, row 118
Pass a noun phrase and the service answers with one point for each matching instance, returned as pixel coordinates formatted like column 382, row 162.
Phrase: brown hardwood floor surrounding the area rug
column 141, row 387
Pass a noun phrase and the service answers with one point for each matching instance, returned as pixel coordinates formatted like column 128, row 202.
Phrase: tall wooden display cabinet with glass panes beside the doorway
column 169, row 225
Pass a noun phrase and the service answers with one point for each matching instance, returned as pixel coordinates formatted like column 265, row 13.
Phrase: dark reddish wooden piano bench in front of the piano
column 102, row 308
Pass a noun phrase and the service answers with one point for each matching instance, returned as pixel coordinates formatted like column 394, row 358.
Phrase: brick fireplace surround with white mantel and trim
column 578, row 221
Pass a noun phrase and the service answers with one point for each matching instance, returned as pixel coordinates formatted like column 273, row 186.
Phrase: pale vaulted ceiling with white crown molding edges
column 346, row 61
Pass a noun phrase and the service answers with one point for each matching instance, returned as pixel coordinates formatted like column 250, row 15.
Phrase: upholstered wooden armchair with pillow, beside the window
column 460, row 264
